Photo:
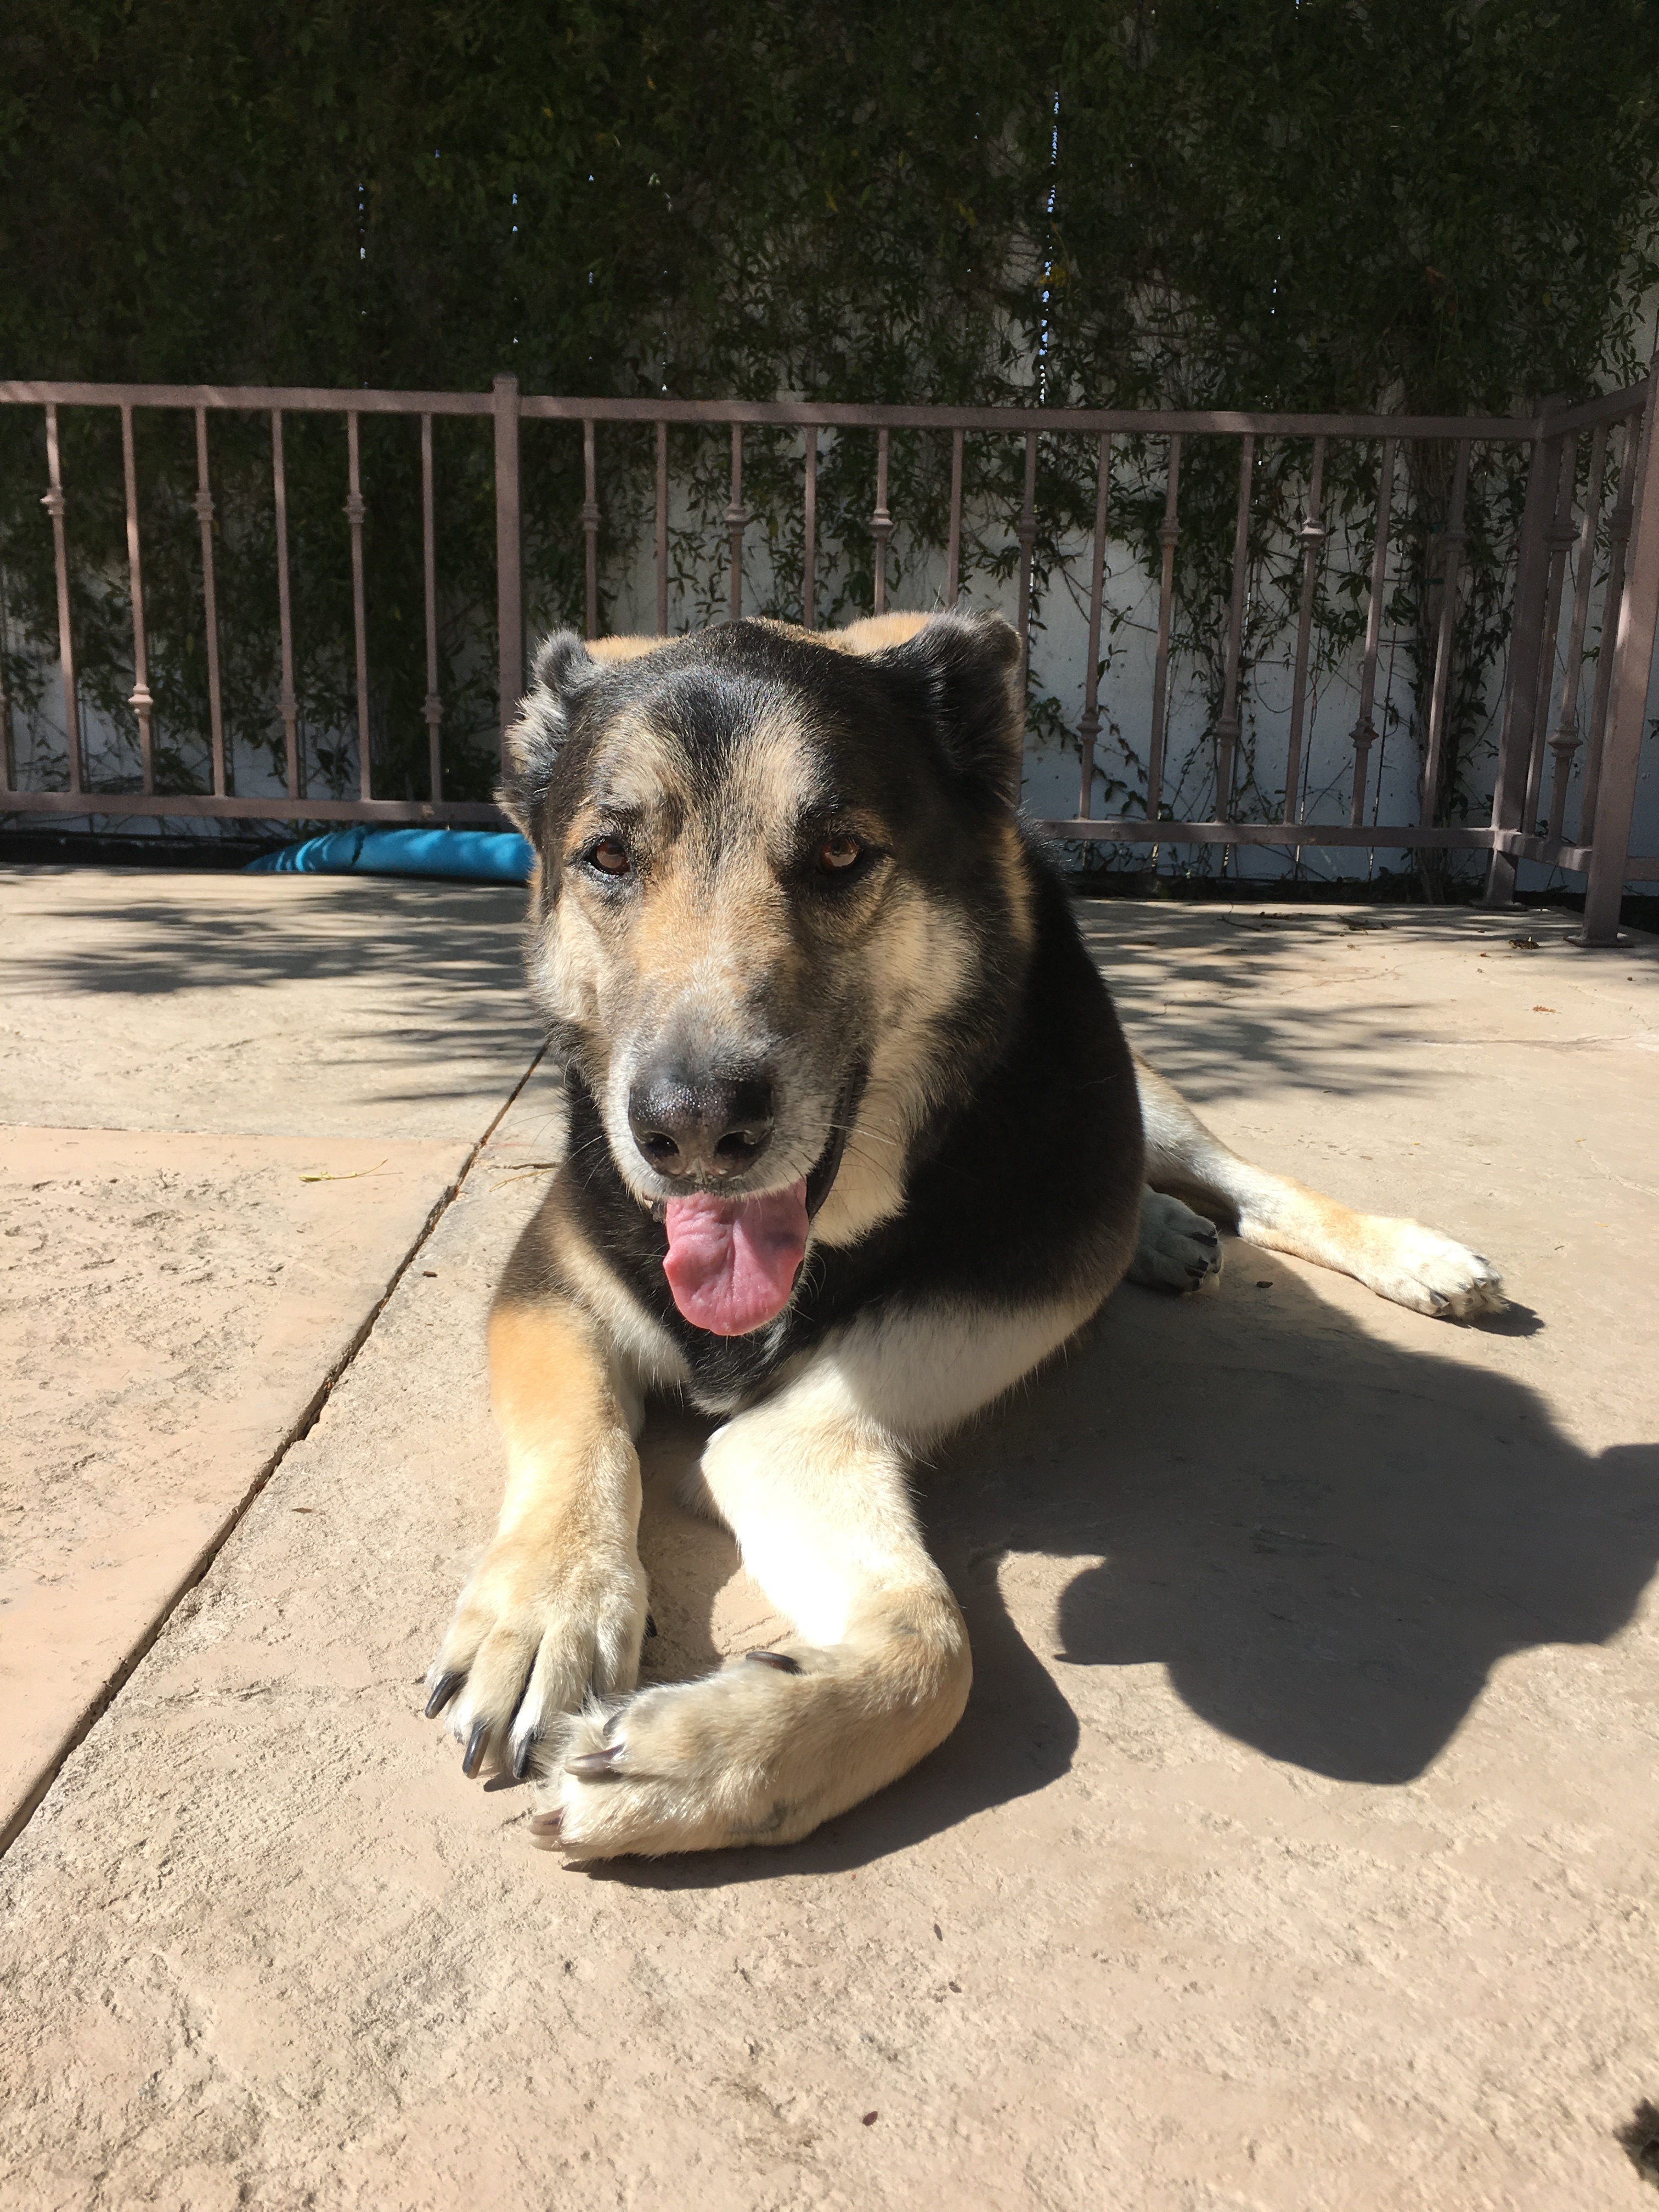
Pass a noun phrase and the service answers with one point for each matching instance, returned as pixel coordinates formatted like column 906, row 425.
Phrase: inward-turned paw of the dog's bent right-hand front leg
column 693, row 1768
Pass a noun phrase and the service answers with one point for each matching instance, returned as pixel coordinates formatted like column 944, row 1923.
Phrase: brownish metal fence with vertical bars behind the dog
column 1565, row 534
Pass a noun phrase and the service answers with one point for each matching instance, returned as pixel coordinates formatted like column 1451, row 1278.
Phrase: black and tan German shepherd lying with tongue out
column 855, row 1145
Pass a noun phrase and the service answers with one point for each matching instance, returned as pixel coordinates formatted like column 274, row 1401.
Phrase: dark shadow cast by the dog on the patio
column 1328, row 1543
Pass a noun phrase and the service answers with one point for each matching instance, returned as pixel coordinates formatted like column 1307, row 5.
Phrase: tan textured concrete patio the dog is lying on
column 1295, row 1853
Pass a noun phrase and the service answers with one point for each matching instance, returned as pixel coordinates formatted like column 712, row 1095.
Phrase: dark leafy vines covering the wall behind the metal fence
column 1207, row 202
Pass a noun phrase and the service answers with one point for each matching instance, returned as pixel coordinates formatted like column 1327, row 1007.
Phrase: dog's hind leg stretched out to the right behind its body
column 1395, row 1258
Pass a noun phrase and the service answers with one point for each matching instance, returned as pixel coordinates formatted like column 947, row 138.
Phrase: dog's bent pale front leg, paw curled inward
column 815, row 1488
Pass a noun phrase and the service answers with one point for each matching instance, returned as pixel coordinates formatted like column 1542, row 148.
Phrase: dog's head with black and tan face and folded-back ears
column 780, row 910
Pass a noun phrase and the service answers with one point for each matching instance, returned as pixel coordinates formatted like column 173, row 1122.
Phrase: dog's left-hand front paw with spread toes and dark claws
column 539, row 1634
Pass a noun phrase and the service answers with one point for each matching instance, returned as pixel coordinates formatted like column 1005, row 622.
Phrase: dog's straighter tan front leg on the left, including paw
column 556, row 1607
